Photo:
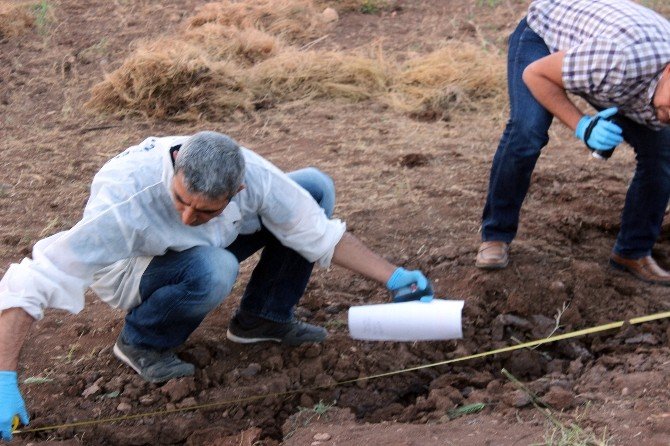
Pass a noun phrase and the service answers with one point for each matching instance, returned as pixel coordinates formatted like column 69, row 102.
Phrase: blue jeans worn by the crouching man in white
column 178, row 289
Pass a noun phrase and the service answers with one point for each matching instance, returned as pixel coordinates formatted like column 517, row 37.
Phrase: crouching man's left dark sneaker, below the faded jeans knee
column 153, row 366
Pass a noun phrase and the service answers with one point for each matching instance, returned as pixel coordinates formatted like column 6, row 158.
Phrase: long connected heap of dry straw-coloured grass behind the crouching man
column 240, row 56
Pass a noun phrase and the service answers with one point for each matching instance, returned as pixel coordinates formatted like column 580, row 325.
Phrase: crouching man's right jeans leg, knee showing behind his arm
column 280, row 278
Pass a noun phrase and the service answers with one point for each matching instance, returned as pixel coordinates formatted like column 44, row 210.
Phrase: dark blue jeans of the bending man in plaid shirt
column 526, row 134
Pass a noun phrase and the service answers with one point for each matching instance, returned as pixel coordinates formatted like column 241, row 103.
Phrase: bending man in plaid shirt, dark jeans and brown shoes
column 616, row 55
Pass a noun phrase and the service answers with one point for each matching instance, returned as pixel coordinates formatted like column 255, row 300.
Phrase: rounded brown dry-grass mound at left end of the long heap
column 172, row 79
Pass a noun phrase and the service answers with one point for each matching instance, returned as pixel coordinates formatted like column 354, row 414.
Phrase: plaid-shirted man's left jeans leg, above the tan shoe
column 524, row 137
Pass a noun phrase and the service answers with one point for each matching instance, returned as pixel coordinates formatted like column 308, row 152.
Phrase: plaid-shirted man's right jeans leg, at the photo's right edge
column 648, row 192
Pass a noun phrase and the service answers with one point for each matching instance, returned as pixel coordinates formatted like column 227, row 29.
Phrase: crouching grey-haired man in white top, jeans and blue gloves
column 162, row 235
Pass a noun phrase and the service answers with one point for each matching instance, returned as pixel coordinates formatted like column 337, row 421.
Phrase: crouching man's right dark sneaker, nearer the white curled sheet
column 289, row 333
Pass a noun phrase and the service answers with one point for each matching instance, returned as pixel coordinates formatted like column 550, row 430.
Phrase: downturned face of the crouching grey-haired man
column 195, row 209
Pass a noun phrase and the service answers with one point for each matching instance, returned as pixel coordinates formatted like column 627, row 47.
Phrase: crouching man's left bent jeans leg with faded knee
column 178, row 289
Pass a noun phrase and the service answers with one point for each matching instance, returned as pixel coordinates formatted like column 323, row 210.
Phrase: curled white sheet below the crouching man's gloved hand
column 407, row 321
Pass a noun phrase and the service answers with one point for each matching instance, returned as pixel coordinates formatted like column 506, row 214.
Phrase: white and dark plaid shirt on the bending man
column 615, row 51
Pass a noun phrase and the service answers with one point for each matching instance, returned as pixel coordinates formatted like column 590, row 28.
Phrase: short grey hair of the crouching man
column 212, row 165
